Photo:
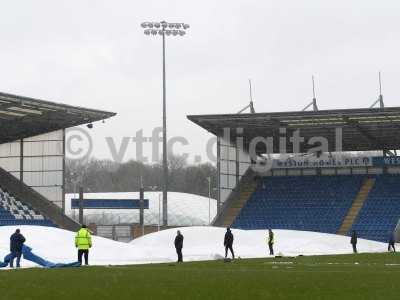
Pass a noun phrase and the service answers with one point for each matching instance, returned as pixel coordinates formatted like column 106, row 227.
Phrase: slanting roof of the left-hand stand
column 22, row 117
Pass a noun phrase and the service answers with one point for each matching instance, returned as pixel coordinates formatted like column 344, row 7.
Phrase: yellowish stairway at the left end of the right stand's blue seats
column 237, row 200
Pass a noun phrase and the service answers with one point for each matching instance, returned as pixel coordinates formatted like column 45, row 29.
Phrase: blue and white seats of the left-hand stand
column 15, row 212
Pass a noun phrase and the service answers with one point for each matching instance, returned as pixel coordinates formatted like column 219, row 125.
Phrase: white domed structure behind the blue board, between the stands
column 183, row 209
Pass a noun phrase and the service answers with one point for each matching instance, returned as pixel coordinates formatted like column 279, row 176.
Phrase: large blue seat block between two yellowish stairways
column 314, row 203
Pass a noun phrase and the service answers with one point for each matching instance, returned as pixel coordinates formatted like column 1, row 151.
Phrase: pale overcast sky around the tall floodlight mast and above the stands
column 94, row 54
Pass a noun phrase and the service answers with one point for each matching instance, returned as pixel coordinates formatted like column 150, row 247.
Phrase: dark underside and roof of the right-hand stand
column 362, row 129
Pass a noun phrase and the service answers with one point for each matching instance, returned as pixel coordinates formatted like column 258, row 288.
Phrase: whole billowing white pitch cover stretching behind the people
column 201, row 243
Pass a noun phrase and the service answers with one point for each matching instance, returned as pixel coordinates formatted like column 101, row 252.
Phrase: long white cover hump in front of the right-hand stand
column 207, row 243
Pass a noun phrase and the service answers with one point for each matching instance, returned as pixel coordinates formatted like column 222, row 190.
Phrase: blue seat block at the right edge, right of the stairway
column 380, row 213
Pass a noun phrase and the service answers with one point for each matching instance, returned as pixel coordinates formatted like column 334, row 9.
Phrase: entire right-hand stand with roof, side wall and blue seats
column 349, row 185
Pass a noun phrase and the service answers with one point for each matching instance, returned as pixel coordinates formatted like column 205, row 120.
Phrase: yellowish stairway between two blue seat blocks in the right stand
column 356, row 206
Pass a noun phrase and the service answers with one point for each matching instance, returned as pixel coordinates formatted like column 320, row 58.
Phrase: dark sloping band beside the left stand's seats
column 40, row 203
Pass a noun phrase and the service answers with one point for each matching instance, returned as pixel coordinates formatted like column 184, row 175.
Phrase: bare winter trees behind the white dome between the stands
column 108, row 176
